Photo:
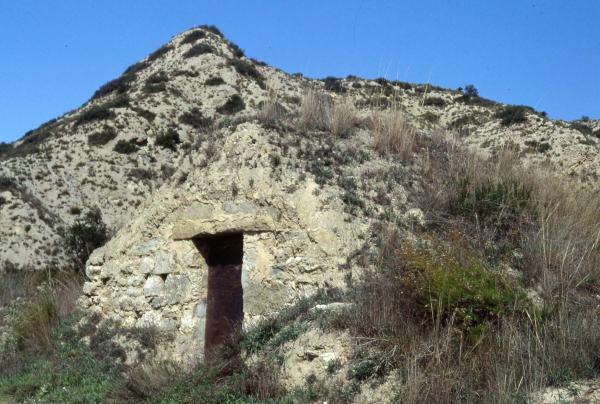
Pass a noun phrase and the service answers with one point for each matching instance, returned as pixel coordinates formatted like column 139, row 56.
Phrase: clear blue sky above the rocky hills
column 54, row 54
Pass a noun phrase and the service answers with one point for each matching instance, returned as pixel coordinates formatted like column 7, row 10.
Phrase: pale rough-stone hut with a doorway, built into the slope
column 177, row 266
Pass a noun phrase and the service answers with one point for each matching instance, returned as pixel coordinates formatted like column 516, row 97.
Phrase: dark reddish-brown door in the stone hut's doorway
column 225, row 304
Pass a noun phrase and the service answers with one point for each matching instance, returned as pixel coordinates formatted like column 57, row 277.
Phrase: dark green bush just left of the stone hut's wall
column 85, row 235
